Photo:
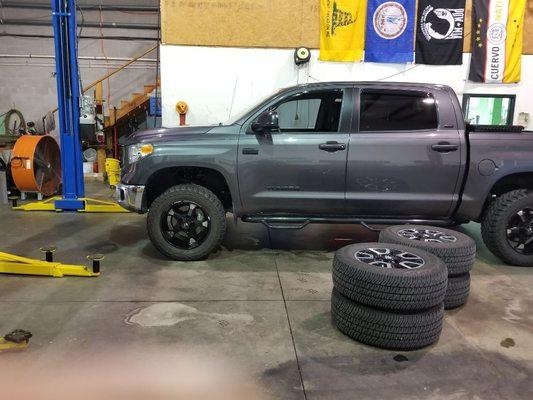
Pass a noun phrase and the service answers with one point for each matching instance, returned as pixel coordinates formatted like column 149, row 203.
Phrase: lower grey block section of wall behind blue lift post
column 29, row 85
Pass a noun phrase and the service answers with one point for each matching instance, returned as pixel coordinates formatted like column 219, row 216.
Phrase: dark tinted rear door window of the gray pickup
column 397, row 111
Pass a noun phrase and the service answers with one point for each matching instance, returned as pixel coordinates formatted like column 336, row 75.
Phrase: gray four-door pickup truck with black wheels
column 337, row 152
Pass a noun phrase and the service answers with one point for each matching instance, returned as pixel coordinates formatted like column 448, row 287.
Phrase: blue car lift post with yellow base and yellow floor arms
column 72, row 199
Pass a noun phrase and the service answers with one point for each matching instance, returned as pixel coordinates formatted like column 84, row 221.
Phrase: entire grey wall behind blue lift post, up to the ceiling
column 28, row 83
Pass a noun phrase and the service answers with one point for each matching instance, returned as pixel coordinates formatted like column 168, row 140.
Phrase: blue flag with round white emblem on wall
column 390, row 31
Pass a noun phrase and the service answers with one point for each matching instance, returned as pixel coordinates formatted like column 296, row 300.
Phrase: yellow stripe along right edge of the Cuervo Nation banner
column 514, row 41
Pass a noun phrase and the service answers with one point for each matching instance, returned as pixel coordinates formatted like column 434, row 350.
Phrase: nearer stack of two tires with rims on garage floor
column 388, row 295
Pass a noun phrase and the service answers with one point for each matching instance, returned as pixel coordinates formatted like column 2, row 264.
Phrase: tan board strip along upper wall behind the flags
column 265, row 23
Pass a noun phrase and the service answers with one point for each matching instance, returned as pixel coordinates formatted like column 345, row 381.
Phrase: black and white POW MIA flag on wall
column 439, row 35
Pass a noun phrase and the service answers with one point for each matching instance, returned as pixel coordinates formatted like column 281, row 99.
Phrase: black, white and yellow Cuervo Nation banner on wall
column 497, row 39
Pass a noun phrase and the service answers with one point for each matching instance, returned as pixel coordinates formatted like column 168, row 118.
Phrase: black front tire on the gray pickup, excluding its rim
column 205, row 199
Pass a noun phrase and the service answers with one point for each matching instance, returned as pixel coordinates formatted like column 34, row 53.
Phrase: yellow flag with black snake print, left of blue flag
column 342, row 29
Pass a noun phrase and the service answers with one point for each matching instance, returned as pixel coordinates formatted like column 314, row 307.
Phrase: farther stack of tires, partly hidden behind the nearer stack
column 456, row 250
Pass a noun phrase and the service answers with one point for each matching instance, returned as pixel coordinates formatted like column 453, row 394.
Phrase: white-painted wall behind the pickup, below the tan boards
column 219, row 82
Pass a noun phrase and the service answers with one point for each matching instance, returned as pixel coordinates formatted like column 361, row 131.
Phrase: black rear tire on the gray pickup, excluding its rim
column 494, row 225
